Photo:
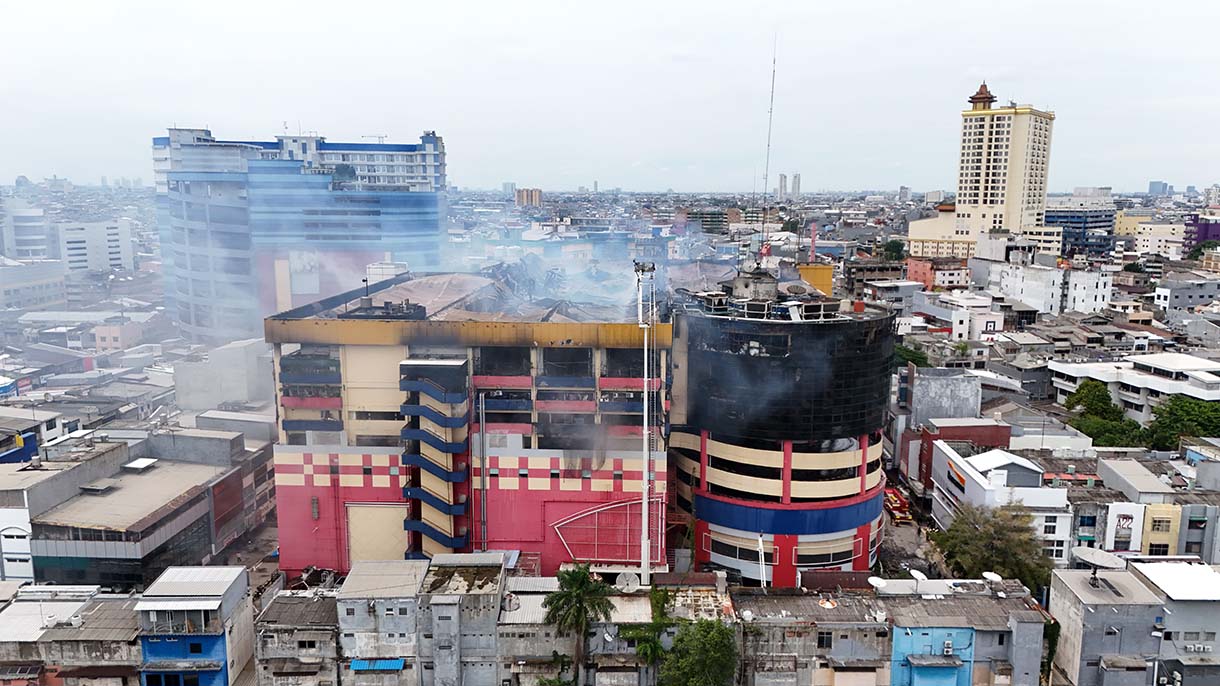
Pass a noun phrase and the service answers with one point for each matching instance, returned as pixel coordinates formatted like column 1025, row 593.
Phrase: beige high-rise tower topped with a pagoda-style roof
column 1002, row 178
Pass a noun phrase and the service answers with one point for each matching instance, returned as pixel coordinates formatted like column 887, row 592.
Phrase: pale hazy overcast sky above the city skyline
column 644, row 96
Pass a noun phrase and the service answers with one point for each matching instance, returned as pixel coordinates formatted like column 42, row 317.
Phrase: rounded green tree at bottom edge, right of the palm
column 705, row 655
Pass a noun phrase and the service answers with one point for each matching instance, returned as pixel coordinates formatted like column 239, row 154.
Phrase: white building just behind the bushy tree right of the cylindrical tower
column 996, row 479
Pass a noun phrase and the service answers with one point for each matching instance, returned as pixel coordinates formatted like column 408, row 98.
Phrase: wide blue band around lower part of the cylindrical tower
column 791, row 522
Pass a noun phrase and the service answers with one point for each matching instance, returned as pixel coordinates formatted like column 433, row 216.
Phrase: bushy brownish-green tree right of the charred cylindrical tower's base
column 999, row 540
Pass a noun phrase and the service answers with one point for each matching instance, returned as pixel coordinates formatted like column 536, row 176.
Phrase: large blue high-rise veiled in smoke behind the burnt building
column 253, row 228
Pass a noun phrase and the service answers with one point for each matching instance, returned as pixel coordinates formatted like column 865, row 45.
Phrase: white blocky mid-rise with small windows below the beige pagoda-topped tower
column 1053, row 291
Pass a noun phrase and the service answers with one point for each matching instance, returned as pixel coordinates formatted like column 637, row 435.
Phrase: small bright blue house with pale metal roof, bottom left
column 197, row 627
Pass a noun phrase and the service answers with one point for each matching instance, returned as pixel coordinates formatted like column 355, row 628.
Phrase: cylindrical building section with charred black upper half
column 779, row 405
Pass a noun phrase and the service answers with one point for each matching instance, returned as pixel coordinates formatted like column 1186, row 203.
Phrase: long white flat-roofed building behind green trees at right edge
column 1141, row 383
